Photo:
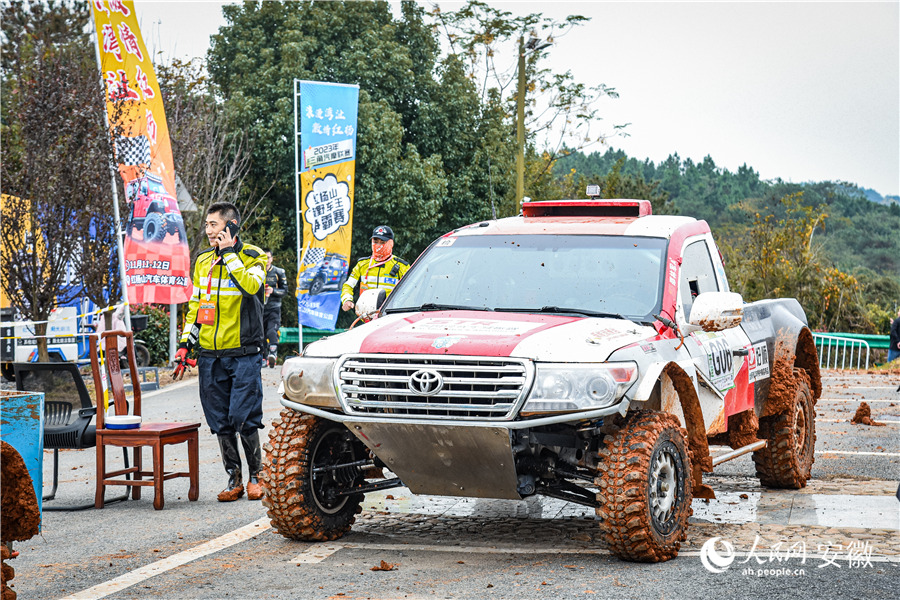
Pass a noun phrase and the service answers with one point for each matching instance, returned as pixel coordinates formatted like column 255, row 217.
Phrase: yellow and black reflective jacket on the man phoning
column 233, row 283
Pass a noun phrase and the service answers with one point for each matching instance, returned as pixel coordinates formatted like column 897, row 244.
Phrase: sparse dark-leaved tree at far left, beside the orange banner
column 57, row 229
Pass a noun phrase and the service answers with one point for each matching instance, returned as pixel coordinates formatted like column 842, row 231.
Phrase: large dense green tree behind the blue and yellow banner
column 431, row 154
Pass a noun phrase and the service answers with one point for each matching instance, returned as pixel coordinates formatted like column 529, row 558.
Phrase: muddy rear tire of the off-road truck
column 786, row 462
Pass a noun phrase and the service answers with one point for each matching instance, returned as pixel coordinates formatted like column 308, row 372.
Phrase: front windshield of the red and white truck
column 585, row 274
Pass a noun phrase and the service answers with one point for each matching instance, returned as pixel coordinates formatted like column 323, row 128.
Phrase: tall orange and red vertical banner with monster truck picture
column 157, row 257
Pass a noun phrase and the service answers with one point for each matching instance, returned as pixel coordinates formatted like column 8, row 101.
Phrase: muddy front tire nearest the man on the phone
column 300, row 501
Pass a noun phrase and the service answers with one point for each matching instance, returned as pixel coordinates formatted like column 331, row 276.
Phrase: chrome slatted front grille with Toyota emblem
column 470, row 388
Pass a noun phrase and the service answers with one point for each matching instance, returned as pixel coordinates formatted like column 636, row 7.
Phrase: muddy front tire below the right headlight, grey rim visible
column 645, row 487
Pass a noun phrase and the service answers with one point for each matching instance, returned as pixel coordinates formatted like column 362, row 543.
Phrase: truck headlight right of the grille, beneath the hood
column 560, row 387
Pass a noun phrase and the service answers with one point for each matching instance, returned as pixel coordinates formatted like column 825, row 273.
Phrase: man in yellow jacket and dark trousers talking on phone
column 225, row 322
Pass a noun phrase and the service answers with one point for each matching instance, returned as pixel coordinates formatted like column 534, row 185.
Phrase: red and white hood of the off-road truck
column 537, row 337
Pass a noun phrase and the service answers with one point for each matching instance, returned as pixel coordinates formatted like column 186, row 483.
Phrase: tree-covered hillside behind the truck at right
column 832, row 245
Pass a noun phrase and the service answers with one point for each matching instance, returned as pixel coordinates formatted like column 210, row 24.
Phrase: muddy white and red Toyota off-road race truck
column 584, row 350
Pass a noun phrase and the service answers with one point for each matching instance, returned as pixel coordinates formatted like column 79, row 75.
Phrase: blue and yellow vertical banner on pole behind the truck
column 326, row 153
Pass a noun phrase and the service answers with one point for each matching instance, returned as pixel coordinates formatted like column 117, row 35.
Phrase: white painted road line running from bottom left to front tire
column 176, row 560
